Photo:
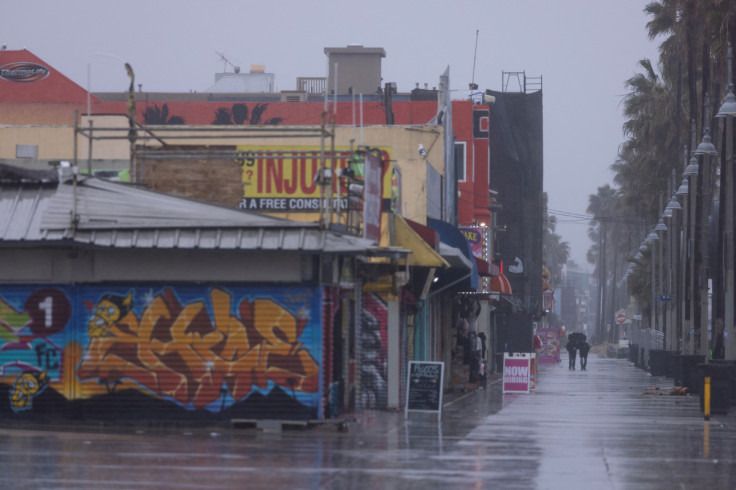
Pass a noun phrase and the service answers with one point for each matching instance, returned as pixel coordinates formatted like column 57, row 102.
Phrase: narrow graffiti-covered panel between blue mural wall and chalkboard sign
column 373, row 345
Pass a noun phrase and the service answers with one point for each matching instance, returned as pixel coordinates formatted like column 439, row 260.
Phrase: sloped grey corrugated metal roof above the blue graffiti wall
column 114, row 215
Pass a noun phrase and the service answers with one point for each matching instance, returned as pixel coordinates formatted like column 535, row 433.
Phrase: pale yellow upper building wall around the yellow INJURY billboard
column 56, row 142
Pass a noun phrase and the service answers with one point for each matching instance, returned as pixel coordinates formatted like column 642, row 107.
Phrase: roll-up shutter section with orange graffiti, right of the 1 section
column 186, row 352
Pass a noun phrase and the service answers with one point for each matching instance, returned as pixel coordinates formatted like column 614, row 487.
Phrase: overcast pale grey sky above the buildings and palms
column 583, row 49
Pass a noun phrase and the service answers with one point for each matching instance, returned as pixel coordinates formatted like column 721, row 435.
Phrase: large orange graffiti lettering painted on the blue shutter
column 190, row 356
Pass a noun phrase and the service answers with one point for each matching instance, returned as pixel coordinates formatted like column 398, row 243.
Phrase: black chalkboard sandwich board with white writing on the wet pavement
column 424, row 387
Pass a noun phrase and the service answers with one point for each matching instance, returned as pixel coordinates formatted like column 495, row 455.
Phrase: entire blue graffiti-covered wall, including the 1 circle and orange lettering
column 149, row 352
